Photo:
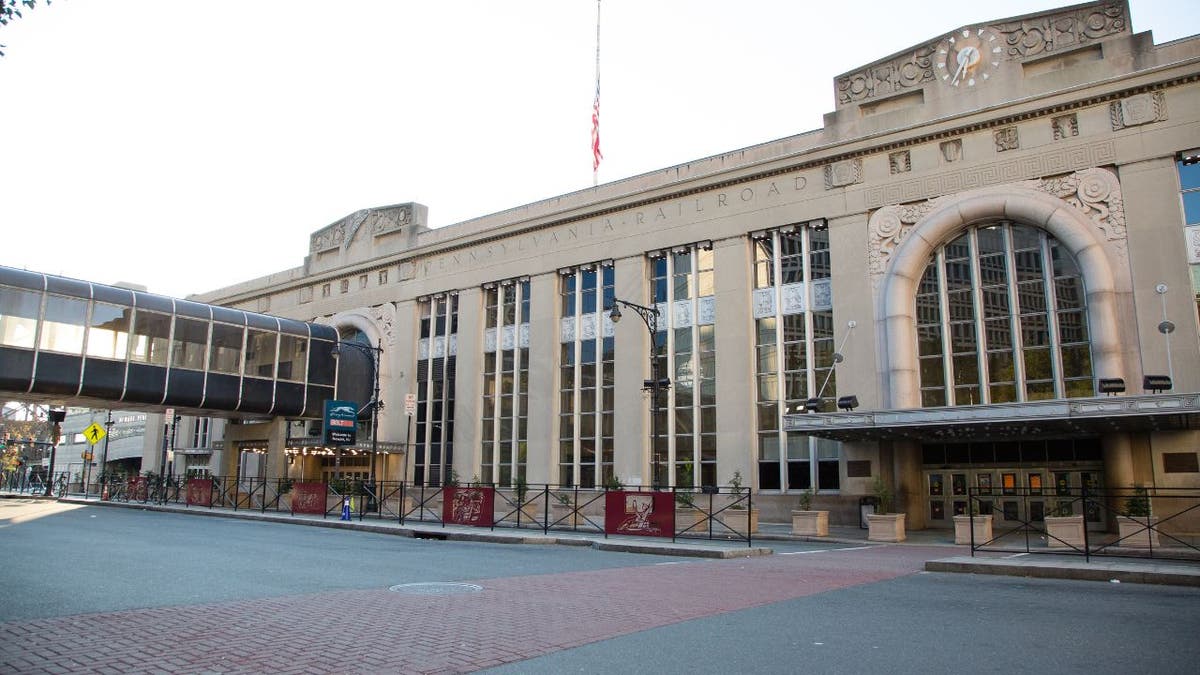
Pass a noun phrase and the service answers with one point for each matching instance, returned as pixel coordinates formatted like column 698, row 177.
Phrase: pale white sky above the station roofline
column 188, row 146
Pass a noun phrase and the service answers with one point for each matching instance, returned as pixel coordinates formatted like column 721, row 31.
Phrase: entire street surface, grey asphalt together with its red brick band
column 97, row 589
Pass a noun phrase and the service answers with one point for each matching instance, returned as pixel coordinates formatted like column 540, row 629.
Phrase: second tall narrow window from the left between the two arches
column 506, row 409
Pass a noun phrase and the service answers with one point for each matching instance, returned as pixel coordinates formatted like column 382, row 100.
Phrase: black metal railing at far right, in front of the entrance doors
column 1147, row 523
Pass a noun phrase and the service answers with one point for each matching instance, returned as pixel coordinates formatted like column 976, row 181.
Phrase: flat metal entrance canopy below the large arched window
column 1071, row 417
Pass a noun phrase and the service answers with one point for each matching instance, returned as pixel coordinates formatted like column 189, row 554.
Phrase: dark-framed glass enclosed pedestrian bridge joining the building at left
column 75, row 343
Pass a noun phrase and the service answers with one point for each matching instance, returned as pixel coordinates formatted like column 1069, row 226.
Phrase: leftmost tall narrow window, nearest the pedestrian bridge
column 437, row 349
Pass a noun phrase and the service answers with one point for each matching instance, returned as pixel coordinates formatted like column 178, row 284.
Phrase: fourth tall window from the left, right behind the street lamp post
column 682, row 283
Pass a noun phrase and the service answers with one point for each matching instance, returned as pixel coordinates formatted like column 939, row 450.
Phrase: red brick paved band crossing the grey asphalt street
column 379, row 631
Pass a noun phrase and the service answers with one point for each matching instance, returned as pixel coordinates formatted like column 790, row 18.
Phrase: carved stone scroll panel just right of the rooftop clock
column 1063, row 31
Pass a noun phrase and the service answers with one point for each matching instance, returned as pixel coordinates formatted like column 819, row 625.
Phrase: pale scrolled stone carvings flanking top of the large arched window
column 1094, row 192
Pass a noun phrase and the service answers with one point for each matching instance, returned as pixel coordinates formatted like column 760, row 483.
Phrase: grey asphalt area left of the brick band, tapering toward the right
column 65, row 559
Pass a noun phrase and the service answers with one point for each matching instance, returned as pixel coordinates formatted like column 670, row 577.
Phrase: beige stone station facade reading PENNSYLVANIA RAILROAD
column 987, row 226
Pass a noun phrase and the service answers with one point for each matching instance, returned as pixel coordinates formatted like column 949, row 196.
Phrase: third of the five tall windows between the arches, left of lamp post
column 587, row 353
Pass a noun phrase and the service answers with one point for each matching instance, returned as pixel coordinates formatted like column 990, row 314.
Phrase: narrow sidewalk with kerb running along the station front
column 958, row 559
